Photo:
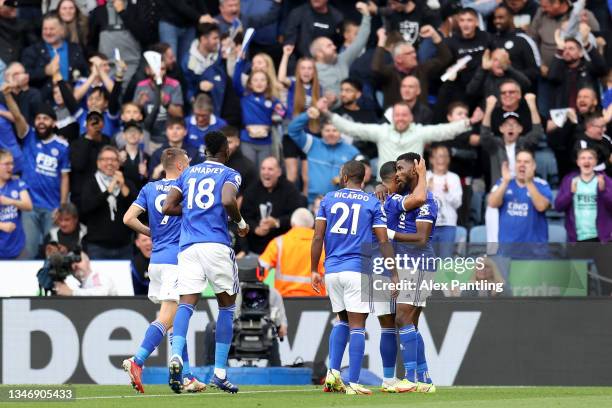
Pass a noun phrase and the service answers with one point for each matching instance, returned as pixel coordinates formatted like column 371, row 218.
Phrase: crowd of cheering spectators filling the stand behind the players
column 509, row 100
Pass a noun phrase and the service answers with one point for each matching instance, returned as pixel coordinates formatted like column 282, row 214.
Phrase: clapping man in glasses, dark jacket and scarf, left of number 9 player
column 105, row 199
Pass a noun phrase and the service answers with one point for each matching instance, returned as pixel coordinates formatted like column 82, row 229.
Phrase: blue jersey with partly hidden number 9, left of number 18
column 165, row 229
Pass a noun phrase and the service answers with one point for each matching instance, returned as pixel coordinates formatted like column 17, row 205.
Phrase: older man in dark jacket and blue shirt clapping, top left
column 41, row 59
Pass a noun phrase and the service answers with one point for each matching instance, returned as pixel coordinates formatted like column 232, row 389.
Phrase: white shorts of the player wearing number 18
column 207, row 261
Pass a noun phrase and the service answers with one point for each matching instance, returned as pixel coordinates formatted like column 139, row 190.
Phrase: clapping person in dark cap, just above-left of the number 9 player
column 132, row 157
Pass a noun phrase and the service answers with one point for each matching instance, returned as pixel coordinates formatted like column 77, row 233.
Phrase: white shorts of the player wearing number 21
column 345, row 292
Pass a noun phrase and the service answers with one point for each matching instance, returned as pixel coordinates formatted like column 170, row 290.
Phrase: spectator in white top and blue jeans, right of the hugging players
column 446, row 188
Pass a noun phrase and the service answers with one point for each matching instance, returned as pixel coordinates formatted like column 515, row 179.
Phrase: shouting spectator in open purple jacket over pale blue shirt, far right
column 585, row 197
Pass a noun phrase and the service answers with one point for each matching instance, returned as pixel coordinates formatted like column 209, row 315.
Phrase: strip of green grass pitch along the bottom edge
column 309, row 396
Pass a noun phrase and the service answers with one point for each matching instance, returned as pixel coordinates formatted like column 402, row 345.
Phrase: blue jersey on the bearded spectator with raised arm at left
column 44, row 163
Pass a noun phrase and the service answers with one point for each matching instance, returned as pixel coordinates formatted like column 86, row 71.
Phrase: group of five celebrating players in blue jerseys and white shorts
column 188, row 213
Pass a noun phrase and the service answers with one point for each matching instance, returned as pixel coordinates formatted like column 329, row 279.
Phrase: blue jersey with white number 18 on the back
column 204, row 217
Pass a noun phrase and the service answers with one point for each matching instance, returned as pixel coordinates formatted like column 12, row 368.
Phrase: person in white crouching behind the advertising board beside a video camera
column 91, row 283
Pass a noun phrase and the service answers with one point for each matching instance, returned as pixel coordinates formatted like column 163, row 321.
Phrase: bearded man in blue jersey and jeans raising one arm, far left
column 46, row 169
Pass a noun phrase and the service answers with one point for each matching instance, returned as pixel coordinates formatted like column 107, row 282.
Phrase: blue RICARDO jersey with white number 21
column 350, row 216
